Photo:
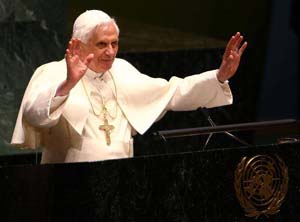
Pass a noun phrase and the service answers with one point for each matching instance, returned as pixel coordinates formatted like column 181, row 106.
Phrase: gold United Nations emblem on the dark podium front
column 261, row 183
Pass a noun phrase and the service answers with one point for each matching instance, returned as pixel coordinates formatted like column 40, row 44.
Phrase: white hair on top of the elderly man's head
column 85, row 24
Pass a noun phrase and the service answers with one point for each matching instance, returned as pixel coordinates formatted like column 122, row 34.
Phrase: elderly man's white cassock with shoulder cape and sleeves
column 68, row 128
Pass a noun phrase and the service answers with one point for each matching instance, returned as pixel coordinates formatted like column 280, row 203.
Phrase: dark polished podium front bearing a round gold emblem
column 209, row 186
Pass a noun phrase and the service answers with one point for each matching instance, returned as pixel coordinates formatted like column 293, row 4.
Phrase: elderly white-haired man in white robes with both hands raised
column 88, row 106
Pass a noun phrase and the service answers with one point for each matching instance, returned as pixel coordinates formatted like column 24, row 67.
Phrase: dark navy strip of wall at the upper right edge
column 280, row 97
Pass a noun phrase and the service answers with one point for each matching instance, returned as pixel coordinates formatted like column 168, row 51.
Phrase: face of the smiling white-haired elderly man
column 104, row 45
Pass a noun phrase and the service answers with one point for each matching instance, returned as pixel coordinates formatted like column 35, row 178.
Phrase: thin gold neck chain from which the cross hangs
column 104, row 109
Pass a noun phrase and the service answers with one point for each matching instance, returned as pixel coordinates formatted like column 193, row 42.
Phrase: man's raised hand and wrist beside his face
column 76, row 67
